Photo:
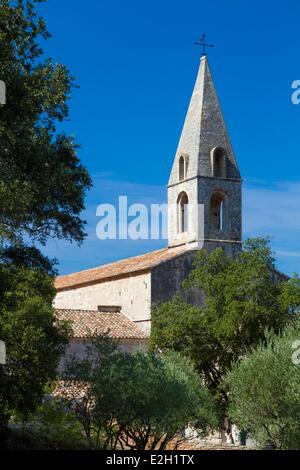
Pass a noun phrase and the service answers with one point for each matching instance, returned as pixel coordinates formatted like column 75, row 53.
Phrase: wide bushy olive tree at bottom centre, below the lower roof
column 138, row 401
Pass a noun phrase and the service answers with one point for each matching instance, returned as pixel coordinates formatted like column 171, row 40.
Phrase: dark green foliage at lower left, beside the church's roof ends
column 34, row 342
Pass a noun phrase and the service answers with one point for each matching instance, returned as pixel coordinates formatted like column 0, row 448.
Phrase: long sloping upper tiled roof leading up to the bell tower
column 118, row 269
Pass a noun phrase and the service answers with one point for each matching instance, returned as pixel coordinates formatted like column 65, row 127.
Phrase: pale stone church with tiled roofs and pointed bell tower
column 205, row 188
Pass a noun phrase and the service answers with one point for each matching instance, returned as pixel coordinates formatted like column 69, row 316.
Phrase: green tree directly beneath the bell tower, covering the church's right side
column 243, row 296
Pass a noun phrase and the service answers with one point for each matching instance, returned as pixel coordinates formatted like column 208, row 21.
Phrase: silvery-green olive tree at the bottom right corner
column 264, row 391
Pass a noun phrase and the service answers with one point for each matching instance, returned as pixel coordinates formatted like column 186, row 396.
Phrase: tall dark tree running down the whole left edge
column 42, row 188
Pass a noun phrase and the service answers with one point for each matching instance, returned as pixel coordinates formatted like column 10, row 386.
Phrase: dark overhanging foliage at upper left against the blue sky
column 42, row 181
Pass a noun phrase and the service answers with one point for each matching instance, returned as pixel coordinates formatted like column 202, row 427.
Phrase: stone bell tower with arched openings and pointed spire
column 205, row 186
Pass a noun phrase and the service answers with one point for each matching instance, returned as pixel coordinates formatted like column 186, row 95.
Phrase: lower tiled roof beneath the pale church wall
column 89, row 322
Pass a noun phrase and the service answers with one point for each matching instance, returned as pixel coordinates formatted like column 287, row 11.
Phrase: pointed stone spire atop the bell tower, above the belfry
column 204, row 130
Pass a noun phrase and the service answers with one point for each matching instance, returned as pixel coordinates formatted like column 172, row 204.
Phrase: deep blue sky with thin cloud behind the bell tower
column 135, row 63
